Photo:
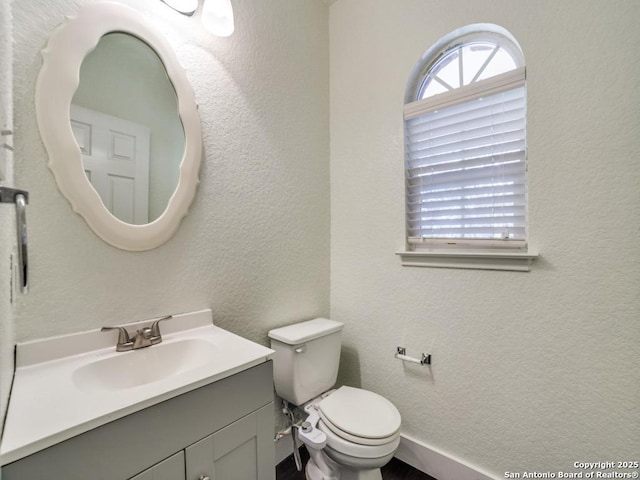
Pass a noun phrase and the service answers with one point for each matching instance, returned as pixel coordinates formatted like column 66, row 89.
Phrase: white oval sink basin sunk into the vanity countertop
column 140, row 367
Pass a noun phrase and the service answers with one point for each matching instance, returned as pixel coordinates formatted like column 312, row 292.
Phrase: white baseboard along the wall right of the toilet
column 435, row 463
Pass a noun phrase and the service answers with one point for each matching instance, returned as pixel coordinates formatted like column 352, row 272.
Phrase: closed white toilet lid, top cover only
column 360, row 413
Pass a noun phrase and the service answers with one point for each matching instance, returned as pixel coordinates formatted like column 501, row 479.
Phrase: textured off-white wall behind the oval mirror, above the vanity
column 255, row 245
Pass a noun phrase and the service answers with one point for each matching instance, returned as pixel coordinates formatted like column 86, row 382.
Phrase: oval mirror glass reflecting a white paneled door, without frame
column 124, row 116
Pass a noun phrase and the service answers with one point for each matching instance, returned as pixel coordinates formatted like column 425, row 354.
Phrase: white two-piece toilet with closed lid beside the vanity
column 350, row 432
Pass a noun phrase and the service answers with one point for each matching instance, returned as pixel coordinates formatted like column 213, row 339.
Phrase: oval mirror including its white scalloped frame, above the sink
column 102, row 120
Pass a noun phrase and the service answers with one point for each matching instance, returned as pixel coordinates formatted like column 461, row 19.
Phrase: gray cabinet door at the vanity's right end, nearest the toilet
column 241, row 451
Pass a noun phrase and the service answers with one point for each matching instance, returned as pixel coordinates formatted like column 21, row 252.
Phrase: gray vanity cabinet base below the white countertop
column 223, row 431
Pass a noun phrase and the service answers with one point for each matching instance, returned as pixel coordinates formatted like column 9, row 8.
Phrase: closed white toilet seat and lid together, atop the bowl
column 357, row 420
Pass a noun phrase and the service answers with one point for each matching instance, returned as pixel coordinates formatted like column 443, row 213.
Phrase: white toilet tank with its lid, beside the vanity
column 307, row 358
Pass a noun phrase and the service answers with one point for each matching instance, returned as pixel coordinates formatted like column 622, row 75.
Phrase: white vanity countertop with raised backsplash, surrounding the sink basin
column 48, row 403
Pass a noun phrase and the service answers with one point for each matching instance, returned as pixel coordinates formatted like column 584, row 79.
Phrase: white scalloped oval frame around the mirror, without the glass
column 57, row 82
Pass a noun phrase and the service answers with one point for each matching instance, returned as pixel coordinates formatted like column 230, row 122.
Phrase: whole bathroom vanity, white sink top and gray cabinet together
column 197, row 406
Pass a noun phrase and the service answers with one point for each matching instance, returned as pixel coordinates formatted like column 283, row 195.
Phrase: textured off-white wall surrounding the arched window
column 531, row 371
